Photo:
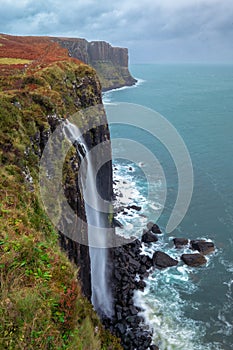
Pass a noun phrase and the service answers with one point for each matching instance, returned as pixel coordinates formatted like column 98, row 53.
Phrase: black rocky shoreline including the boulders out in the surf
column 130, row 269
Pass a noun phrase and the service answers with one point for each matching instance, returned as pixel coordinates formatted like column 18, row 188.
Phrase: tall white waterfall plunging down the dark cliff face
column 101, row 296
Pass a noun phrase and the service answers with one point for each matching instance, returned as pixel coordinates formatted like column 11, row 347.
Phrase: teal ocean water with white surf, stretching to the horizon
column 187, row 308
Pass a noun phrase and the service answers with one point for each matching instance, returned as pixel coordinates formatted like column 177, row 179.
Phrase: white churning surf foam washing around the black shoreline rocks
column 163, row 300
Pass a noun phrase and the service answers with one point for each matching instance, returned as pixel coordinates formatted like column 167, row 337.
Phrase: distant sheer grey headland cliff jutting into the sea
column 110, row 63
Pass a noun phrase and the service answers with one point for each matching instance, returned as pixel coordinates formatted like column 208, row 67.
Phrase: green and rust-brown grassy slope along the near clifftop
column 41, row 303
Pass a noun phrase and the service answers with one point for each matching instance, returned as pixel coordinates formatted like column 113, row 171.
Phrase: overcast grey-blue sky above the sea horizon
column 153, row 30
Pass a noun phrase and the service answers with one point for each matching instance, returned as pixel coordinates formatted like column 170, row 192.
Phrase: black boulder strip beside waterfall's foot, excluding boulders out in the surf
column 130, row 267
